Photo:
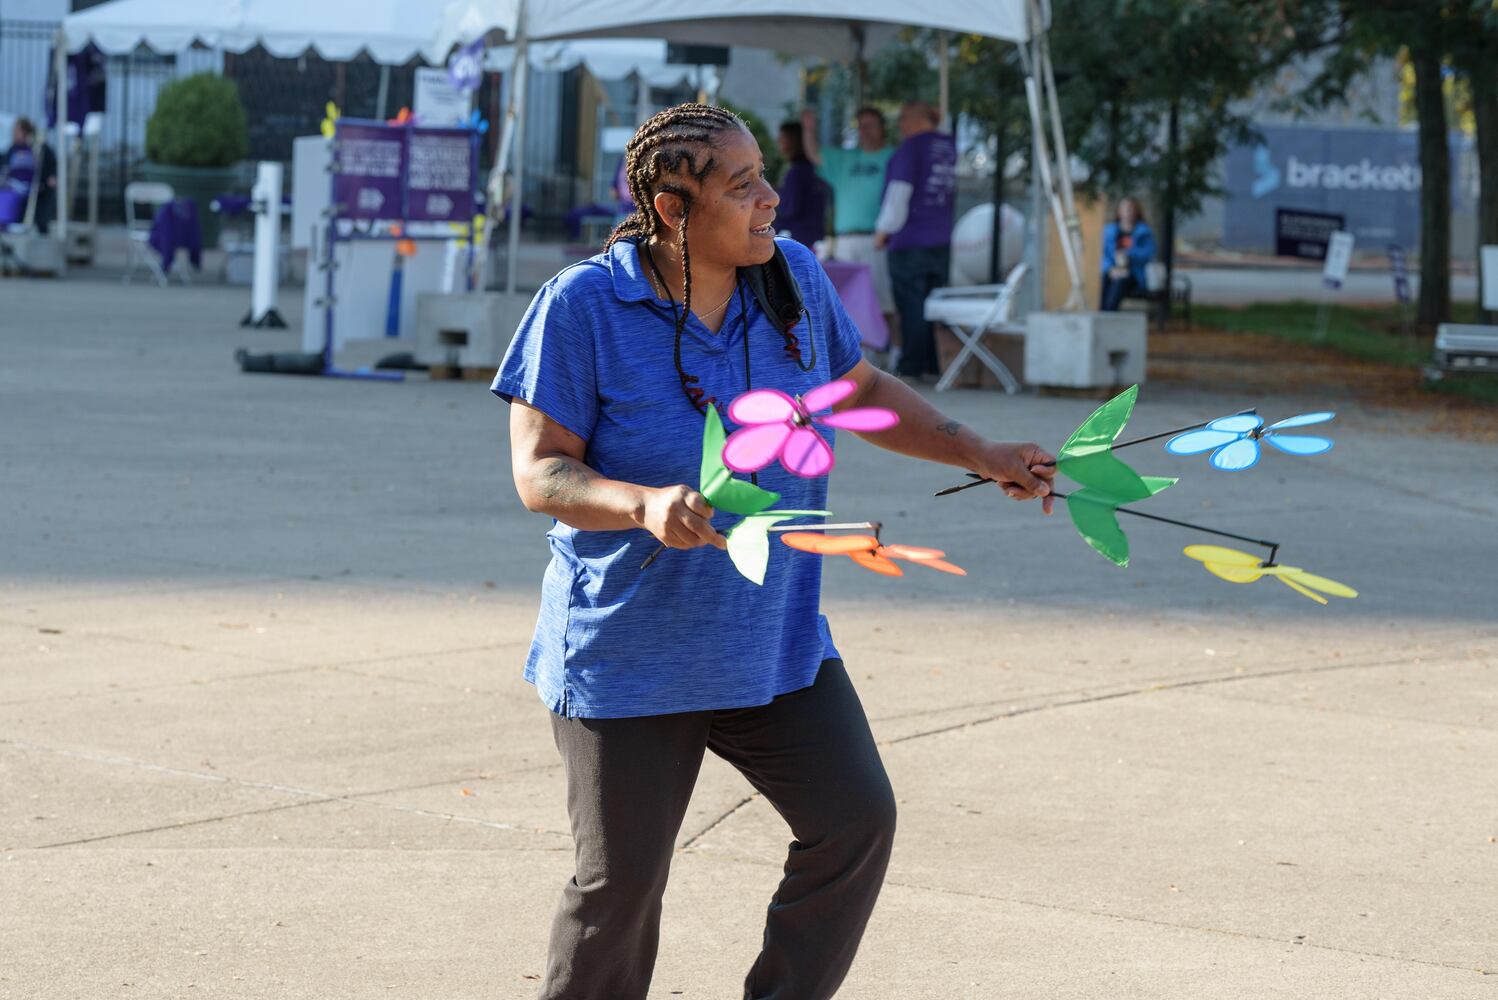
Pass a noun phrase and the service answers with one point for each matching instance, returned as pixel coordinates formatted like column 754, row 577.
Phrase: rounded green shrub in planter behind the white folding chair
column 198, row 122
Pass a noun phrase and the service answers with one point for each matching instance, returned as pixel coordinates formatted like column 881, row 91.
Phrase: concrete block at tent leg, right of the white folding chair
column 1085, row 350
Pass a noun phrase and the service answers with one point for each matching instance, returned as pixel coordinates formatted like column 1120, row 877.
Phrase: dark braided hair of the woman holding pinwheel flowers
column 675, row 152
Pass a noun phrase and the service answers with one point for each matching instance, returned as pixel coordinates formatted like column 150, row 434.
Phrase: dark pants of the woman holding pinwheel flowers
column 810, row 754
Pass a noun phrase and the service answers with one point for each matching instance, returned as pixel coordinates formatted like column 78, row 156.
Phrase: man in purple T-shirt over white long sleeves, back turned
column 915, row 224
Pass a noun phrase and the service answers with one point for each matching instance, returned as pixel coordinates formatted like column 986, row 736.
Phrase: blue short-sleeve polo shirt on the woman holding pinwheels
column 595, row 354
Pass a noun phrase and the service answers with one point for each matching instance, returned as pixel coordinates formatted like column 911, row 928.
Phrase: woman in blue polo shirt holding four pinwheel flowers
column 645, row 670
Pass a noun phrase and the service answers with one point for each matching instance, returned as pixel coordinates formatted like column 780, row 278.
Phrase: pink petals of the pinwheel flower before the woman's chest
column 775, row 426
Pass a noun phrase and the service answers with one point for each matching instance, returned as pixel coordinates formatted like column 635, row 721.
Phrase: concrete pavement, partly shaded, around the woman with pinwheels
column 263, row 731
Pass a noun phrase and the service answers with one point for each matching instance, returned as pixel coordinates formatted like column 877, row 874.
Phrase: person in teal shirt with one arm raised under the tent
column 858, row 180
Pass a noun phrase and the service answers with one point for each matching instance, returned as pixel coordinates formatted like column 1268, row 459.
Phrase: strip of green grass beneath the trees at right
column 1367, row 333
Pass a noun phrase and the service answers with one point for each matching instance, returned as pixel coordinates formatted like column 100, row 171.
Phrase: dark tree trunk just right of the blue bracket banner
column 1436, row 188
